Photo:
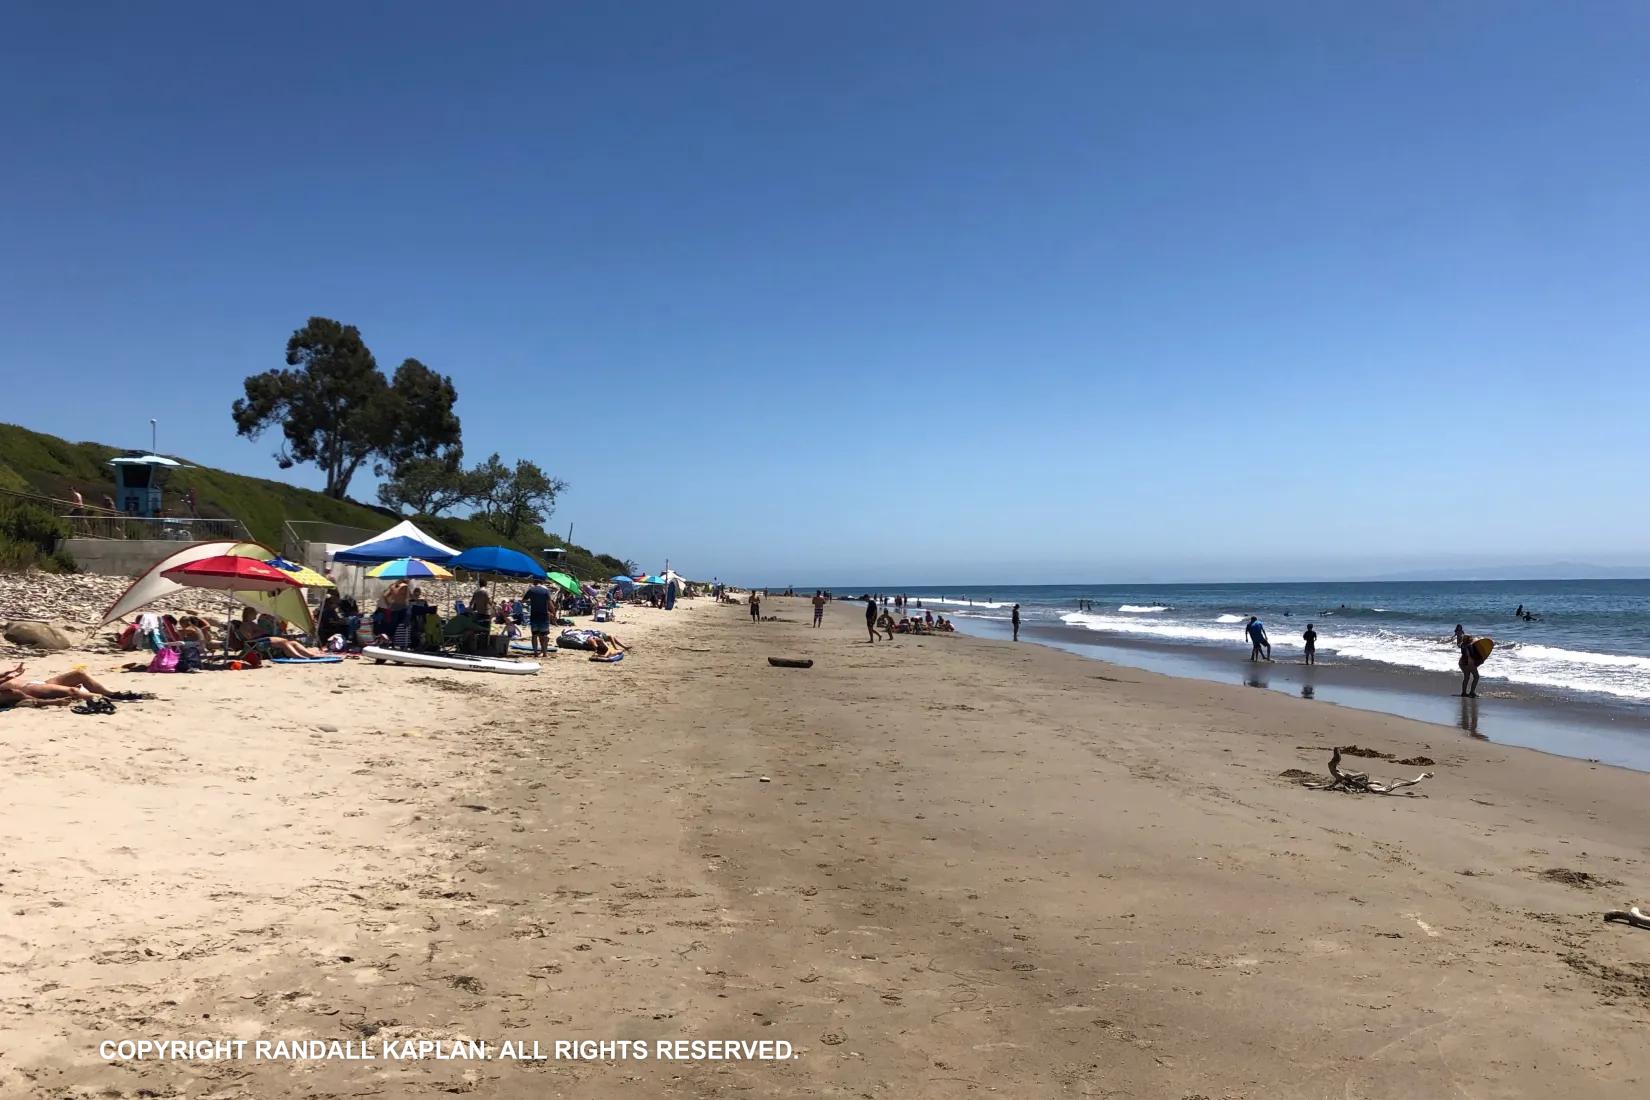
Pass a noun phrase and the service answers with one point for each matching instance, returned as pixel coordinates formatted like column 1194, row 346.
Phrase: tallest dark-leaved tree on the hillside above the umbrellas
column 339, row 411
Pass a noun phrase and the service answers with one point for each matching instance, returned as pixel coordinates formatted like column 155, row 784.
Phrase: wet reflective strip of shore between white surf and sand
column 1580, row 730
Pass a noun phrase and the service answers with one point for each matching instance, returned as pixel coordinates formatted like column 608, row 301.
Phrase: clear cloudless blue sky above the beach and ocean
column 918, row 293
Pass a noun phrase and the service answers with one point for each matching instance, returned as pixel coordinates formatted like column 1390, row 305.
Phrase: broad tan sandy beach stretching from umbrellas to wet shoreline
column 976, row 868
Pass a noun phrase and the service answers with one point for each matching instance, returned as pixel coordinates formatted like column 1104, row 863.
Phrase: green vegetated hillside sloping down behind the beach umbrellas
column 32, row 463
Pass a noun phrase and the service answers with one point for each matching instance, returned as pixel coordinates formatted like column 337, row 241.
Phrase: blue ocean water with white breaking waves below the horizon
column 1591, row 639
